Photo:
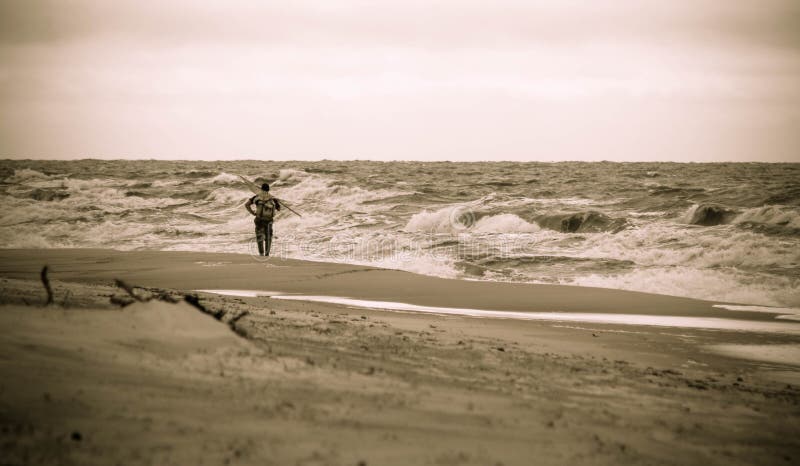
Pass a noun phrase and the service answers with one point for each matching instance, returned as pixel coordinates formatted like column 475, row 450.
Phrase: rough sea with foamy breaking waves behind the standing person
column 723, row 232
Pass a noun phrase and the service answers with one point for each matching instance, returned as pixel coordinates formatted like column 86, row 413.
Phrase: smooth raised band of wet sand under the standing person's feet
column 203, row 270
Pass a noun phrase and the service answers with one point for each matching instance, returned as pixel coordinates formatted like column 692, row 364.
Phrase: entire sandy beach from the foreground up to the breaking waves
column 88, row 382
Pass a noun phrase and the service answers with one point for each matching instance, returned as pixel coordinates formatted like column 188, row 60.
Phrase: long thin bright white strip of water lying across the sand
column 710, row 323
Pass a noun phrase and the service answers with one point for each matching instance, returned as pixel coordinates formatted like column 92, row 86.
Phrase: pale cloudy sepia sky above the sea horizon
column 689, row 80
